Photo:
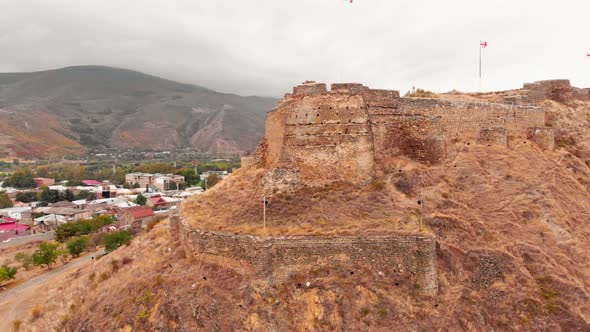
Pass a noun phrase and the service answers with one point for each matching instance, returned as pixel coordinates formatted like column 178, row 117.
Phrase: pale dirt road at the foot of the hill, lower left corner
column 17, row 302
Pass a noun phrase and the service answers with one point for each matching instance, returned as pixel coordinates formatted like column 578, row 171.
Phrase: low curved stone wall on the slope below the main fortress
column 405, row 259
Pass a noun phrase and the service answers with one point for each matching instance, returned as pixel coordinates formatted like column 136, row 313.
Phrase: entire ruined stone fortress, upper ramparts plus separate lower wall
column 356, row 134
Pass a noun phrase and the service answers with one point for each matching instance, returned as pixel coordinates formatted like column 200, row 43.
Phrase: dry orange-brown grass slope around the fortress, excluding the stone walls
column 513, row 234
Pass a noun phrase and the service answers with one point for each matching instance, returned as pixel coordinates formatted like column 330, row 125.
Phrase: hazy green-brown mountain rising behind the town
column 68, row 110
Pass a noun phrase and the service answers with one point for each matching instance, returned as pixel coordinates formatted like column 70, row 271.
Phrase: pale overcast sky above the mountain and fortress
column 265, row 47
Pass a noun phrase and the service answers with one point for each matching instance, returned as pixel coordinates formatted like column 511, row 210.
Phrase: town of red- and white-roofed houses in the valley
column 143, row 198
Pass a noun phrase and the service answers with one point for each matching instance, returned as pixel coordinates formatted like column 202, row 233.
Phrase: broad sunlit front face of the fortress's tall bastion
column 329, row 138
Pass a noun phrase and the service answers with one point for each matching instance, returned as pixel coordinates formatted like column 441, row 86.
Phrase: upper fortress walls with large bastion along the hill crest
column 353, row 133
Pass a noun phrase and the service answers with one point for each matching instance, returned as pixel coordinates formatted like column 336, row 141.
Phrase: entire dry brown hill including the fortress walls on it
column 505, row 177
